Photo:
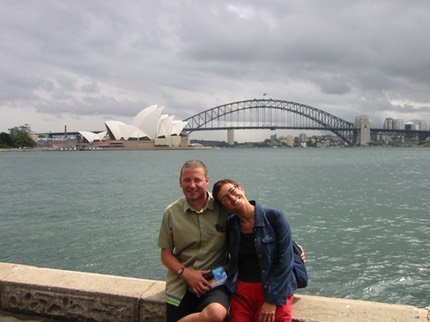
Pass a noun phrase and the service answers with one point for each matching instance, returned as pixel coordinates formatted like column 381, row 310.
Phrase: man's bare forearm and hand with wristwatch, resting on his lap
column 194, row 278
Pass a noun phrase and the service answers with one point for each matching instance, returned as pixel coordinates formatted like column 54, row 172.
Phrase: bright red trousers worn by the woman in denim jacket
column 246, row 304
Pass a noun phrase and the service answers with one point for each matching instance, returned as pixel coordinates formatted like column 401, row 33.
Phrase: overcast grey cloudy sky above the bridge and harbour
column 79, row 63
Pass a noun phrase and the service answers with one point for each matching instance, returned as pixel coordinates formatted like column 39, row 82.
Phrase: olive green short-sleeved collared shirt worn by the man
column 197, row 239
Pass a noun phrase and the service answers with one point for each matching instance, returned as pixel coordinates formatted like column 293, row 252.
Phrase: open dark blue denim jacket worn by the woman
column 273, row 244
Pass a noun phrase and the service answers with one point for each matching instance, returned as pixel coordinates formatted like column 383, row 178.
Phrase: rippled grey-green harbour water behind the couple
column 363, row 214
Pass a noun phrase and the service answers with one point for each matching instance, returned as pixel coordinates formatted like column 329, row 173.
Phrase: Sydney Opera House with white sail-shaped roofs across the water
column 149, row 129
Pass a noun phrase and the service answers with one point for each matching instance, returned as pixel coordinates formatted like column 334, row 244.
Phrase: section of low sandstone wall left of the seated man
column 76, row 296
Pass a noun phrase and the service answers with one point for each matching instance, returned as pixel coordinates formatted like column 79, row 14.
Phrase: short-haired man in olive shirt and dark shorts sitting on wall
column 193, row 241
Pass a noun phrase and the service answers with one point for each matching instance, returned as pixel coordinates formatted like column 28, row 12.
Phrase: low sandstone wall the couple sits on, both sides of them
column 33, row 294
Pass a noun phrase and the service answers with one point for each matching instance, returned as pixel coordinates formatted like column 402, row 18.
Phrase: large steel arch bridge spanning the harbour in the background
column 279, row 114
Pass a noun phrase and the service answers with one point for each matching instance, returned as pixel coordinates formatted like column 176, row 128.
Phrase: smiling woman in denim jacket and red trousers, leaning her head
column 261, row 276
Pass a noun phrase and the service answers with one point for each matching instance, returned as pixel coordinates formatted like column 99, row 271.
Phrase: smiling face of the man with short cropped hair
column 194, row 184
